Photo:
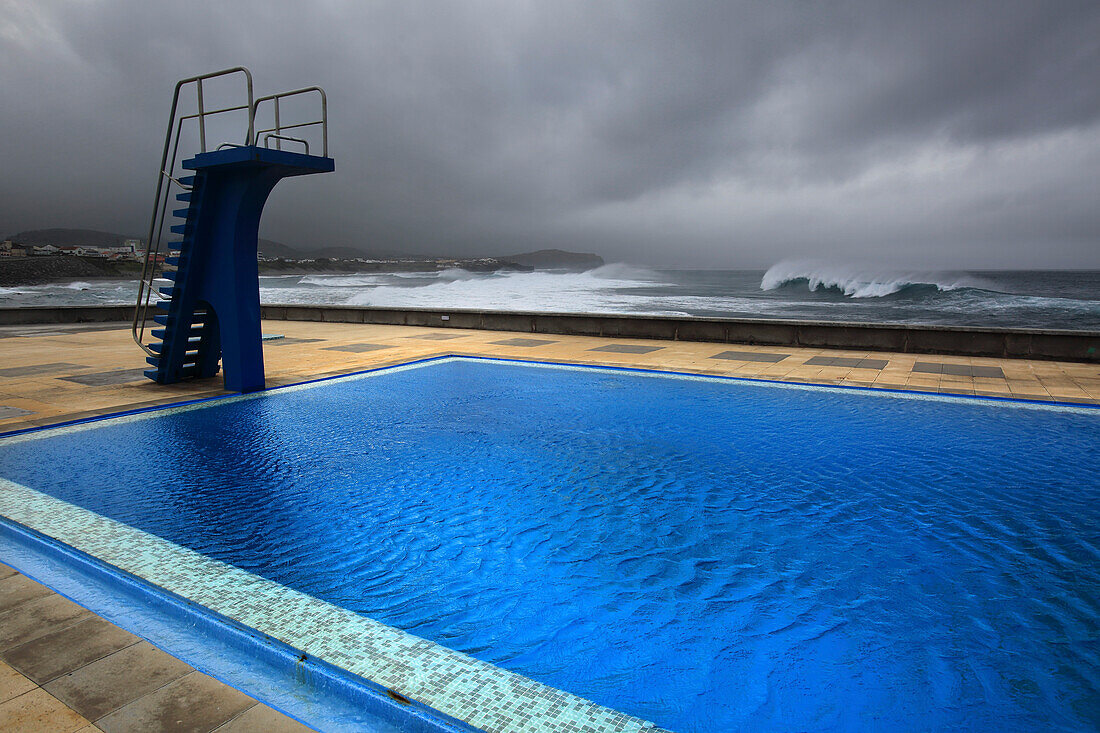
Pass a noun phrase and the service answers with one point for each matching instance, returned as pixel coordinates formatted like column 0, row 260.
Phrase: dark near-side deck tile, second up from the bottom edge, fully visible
column 118, row 680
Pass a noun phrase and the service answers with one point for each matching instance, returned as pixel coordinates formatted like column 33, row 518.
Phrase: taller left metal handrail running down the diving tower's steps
column 160, row 207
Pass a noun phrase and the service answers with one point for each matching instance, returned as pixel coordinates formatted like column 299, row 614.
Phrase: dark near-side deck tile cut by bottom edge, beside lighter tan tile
column 194, row 704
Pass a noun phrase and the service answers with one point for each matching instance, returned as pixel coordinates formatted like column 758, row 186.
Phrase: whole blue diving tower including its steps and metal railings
column 206, row 281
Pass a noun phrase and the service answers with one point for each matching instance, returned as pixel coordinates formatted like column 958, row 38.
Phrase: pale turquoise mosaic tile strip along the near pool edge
column 459, row 686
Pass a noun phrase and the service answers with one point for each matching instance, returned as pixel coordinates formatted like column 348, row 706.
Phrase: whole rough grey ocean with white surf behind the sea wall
column 1051, row 300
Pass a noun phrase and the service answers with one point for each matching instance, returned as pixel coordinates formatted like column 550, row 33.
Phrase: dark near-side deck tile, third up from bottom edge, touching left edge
column 61, row 652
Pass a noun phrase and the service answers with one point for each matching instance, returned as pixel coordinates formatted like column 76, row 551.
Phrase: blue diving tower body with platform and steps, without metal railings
column 215, row 303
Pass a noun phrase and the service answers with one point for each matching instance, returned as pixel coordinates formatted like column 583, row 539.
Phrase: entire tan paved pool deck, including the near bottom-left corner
column 57, row 658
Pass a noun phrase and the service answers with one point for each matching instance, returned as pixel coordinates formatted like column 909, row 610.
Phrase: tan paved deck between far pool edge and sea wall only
column 52, row 375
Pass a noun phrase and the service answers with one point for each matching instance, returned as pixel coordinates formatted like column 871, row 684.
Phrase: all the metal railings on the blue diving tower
column 152, row 267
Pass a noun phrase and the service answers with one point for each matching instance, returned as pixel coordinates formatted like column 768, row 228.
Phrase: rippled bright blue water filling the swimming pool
column 710, row 555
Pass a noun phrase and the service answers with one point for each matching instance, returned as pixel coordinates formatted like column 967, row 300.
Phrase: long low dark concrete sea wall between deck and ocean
column 971, row 342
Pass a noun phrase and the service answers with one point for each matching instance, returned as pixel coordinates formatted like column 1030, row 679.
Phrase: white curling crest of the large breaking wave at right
column 861, row 282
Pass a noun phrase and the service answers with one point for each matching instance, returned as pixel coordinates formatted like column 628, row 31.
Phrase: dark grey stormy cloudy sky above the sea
column 734, row 135
